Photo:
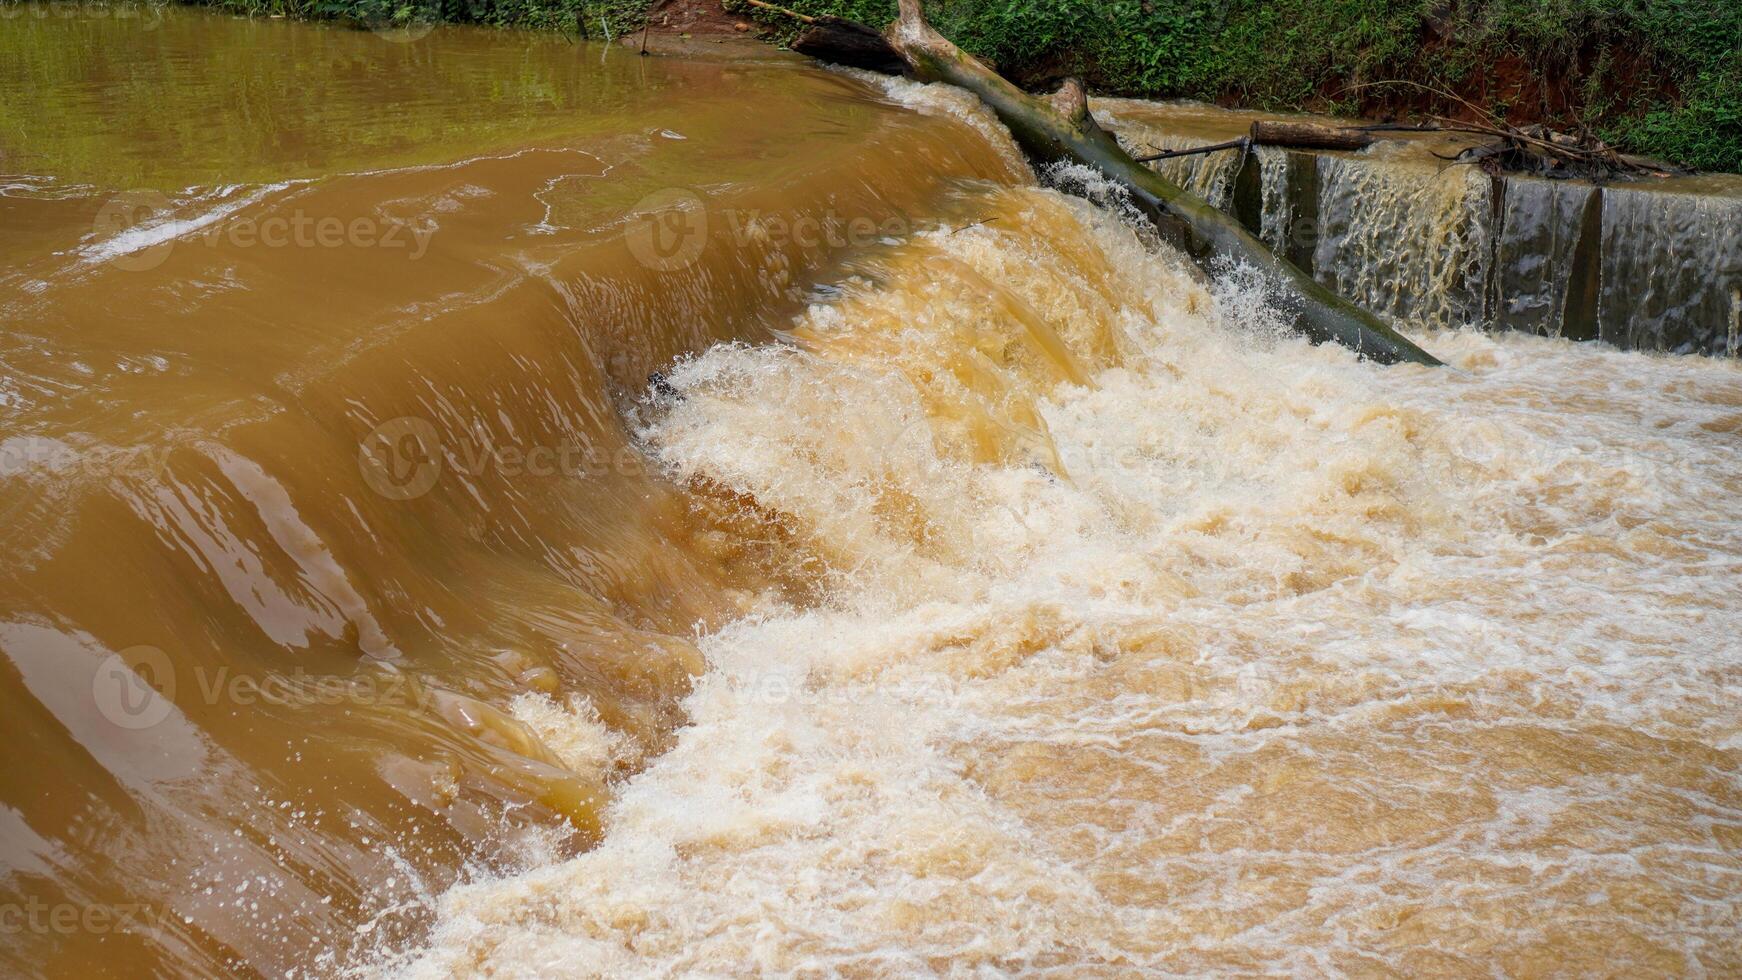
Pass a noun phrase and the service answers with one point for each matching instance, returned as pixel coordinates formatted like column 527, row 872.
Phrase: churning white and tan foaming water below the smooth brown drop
column 1154, row 641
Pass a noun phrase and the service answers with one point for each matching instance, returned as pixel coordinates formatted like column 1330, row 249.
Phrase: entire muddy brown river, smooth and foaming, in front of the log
column 482, row 504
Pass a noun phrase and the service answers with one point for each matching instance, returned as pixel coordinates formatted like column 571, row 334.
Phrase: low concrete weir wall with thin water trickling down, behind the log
column 1652, row 265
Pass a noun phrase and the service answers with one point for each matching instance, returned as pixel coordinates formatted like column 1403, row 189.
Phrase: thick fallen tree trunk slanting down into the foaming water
column 1060, row 130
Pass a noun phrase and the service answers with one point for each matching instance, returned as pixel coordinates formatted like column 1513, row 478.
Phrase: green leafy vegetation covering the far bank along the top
column 1658, row 77
